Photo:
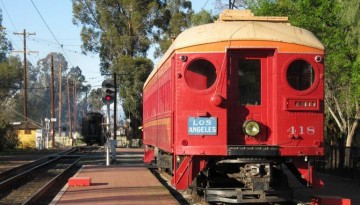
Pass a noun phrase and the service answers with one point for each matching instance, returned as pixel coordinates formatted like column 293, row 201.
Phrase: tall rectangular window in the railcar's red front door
column 249, row 77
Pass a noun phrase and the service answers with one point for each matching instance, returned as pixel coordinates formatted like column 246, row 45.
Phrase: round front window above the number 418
column 300, row 75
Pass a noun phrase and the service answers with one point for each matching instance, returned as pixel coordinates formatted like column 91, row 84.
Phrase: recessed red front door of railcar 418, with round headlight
column 249, row 77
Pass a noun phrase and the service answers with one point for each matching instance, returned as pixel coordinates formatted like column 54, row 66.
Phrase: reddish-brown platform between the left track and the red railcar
column 122, row 183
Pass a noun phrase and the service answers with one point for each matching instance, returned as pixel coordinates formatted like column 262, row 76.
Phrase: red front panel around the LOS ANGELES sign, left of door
column 196, row 102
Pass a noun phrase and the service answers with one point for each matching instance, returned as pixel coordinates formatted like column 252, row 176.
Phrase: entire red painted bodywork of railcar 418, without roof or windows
column 288, row 118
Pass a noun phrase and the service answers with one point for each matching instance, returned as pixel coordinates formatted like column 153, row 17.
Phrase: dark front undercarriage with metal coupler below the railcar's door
column 243, row 180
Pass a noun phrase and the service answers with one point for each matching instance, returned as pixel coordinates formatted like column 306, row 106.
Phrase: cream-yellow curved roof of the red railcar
column 239, row 27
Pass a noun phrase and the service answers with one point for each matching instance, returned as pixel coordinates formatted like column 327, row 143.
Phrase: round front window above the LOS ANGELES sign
column 200, row 74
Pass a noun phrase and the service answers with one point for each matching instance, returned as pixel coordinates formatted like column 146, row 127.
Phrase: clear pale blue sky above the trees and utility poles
column 22, row 14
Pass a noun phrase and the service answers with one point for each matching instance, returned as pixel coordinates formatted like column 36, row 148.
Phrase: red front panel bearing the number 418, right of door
column 299, row 118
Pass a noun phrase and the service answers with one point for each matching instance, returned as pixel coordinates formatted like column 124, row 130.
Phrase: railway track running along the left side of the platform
column 31, row 182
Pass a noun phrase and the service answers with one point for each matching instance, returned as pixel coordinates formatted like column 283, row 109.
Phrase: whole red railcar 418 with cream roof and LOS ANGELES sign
column 231, row 103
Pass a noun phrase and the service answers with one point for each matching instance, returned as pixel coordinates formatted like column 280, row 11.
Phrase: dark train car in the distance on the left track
column 92, row 129
